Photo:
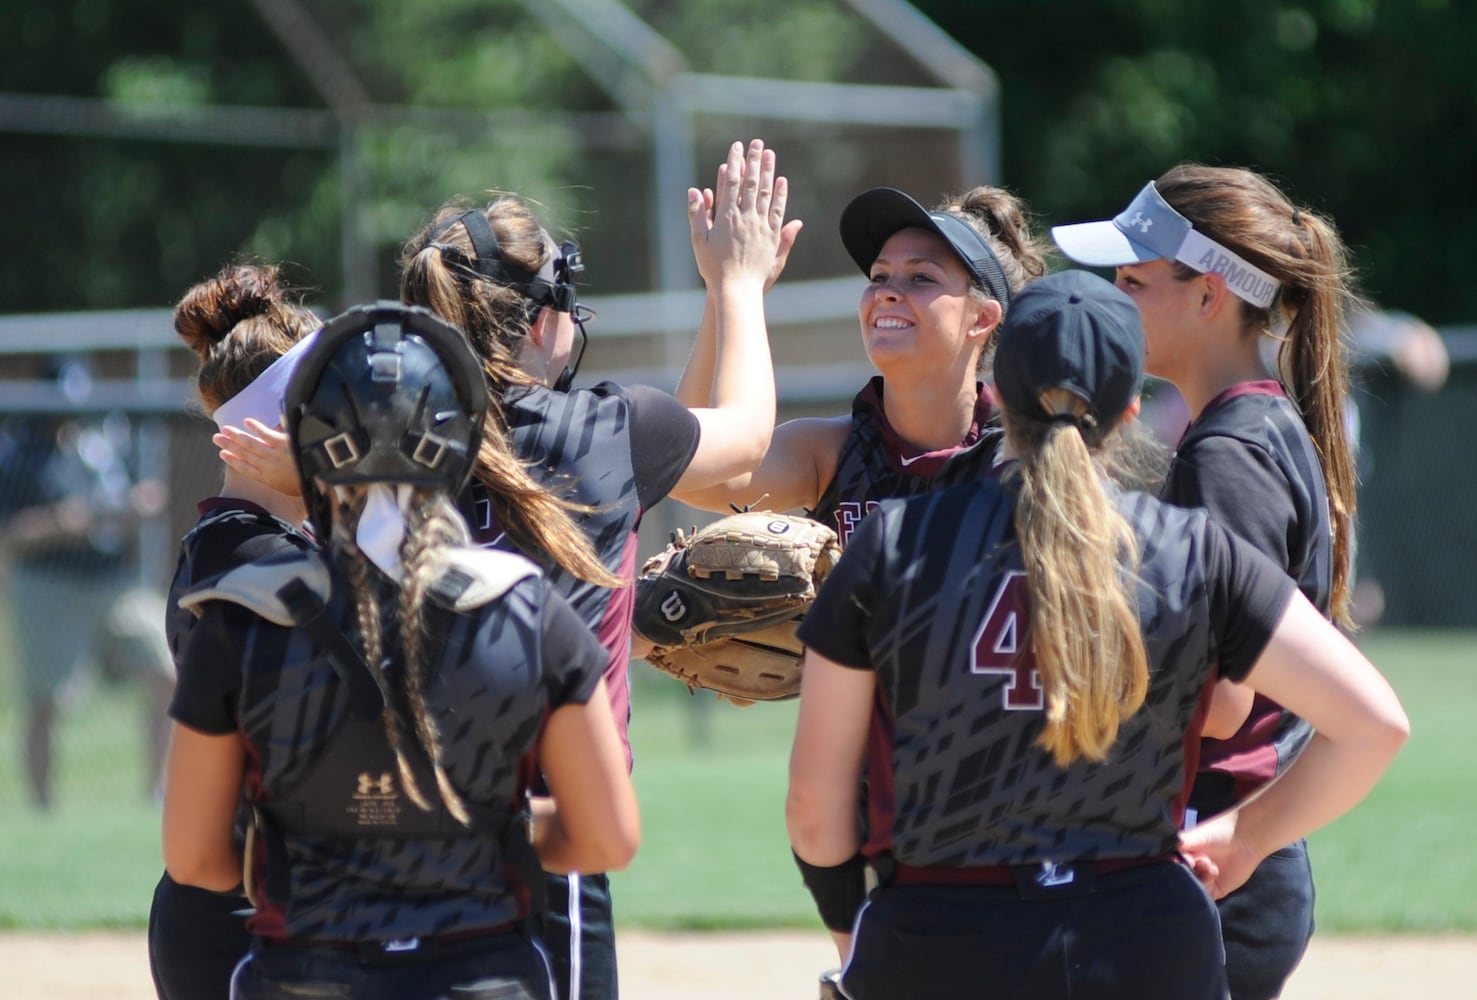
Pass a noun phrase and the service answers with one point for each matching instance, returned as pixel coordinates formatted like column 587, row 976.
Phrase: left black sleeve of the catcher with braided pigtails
column 208, row 685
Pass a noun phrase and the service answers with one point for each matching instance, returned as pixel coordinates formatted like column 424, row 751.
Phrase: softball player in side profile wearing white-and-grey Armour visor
column 1224, row 265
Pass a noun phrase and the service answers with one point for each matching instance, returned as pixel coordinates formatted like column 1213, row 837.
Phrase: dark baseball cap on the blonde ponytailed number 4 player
column 1076, row 332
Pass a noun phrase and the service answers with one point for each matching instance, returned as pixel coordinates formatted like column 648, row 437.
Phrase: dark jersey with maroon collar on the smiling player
column 877, row 466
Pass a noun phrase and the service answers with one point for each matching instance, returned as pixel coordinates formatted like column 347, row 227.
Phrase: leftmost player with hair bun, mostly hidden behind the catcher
column 249, row 335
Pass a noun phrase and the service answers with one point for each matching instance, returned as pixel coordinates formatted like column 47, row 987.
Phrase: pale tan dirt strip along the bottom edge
column 748, row 967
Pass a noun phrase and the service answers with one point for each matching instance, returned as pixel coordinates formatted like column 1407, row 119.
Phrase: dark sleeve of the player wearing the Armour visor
column 1241, row 488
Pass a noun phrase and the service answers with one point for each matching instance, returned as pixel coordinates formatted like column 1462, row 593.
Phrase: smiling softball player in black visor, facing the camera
column 940, row 284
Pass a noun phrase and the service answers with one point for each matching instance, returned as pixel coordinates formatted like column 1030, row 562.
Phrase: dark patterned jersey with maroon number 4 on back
column 931, row 595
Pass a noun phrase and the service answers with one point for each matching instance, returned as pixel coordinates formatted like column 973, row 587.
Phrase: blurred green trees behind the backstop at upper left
column 433, row 100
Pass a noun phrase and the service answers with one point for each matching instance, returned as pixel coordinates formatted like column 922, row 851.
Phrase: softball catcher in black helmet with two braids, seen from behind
column 388, row 704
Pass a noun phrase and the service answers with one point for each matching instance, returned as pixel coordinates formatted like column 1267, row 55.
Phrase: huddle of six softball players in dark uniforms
column 1067, row 708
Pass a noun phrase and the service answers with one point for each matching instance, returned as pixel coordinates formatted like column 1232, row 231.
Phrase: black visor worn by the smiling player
column 875, row 215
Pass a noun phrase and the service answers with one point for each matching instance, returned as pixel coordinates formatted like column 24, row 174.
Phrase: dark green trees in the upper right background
column 1361, row 109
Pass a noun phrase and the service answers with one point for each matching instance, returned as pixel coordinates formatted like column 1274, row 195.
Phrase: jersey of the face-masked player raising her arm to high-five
column 620, row 450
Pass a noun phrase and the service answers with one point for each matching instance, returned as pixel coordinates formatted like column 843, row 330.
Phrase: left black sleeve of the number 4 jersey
column 838, row 623
